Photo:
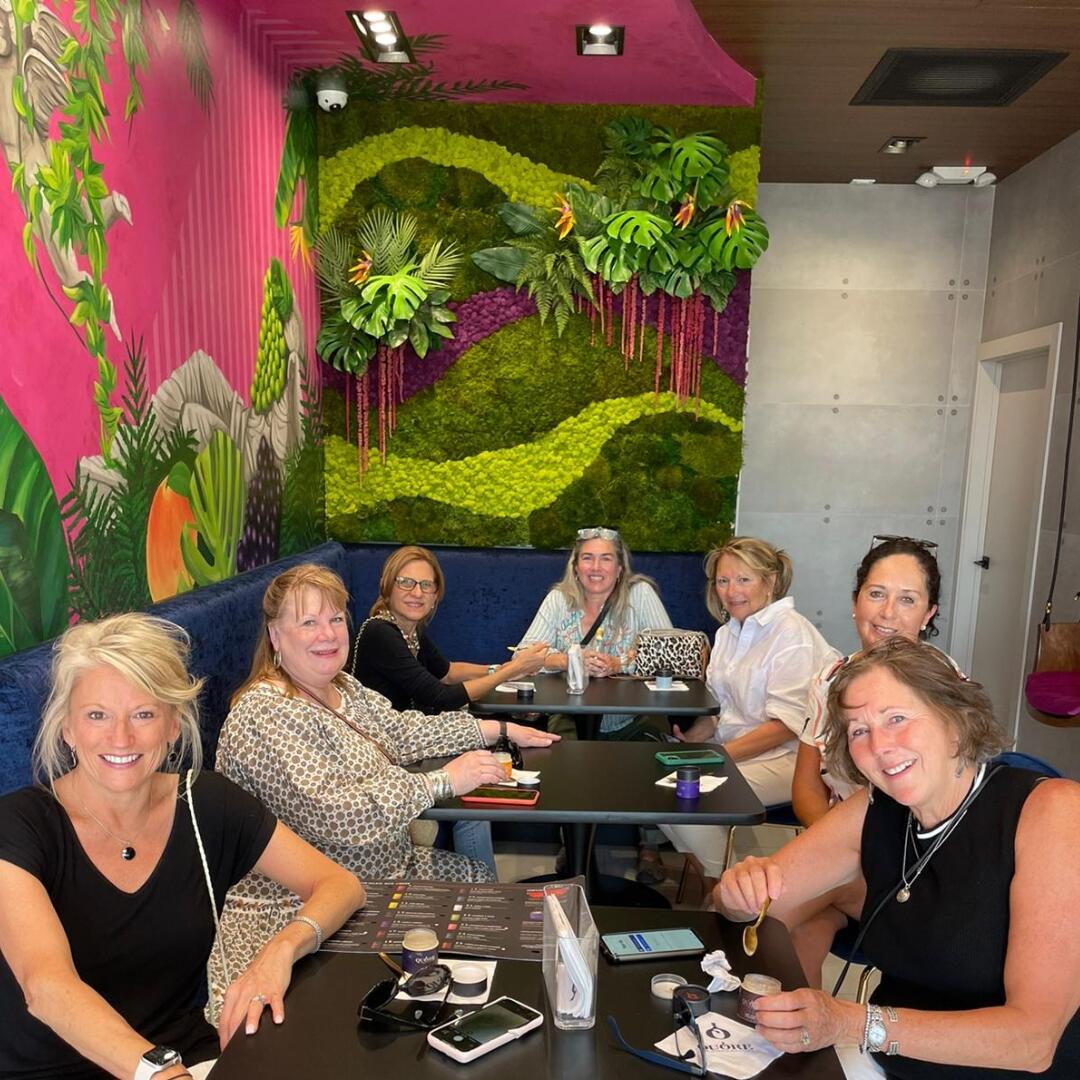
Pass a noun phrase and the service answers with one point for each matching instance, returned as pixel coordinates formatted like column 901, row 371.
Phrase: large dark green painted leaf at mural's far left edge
column 34, row 565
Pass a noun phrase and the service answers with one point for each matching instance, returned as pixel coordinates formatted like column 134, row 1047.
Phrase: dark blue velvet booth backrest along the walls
column 492, row 596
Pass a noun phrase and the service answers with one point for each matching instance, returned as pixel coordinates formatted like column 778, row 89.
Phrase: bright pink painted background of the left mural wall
column 187, row 274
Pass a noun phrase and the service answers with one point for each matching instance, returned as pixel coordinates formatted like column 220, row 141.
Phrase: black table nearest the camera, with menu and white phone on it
column 320, row 1039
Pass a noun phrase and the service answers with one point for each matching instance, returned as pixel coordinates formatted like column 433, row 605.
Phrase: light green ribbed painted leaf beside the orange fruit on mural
column 219, row 495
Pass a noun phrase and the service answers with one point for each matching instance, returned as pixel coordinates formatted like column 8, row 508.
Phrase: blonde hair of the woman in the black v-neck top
column 150, row 653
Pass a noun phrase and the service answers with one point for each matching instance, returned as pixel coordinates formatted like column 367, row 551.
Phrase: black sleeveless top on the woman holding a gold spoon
column 946, row 948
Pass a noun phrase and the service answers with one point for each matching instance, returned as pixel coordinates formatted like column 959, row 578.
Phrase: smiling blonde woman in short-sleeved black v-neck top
column 113, row 871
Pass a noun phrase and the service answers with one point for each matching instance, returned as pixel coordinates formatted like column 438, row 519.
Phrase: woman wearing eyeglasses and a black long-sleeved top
column 395, row 656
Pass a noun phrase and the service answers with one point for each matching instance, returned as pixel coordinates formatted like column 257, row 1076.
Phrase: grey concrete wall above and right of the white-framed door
column 1034, row 280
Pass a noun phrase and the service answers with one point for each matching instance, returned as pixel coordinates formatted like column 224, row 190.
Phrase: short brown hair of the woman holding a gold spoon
column 963, row 705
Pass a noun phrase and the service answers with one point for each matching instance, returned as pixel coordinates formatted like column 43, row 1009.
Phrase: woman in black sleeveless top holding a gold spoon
column 971, row 879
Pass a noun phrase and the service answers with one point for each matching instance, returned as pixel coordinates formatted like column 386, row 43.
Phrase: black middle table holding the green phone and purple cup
column 584, row 785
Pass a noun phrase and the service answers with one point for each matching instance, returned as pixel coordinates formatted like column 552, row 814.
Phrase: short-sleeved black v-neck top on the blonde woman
column 144, row 952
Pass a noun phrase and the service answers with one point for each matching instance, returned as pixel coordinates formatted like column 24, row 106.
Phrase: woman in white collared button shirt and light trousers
column 763, row 661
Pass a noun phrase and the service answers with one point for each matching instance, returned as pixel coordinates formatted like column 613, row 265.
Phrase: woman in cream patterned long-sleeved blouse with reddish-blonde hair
column 328, row 757
